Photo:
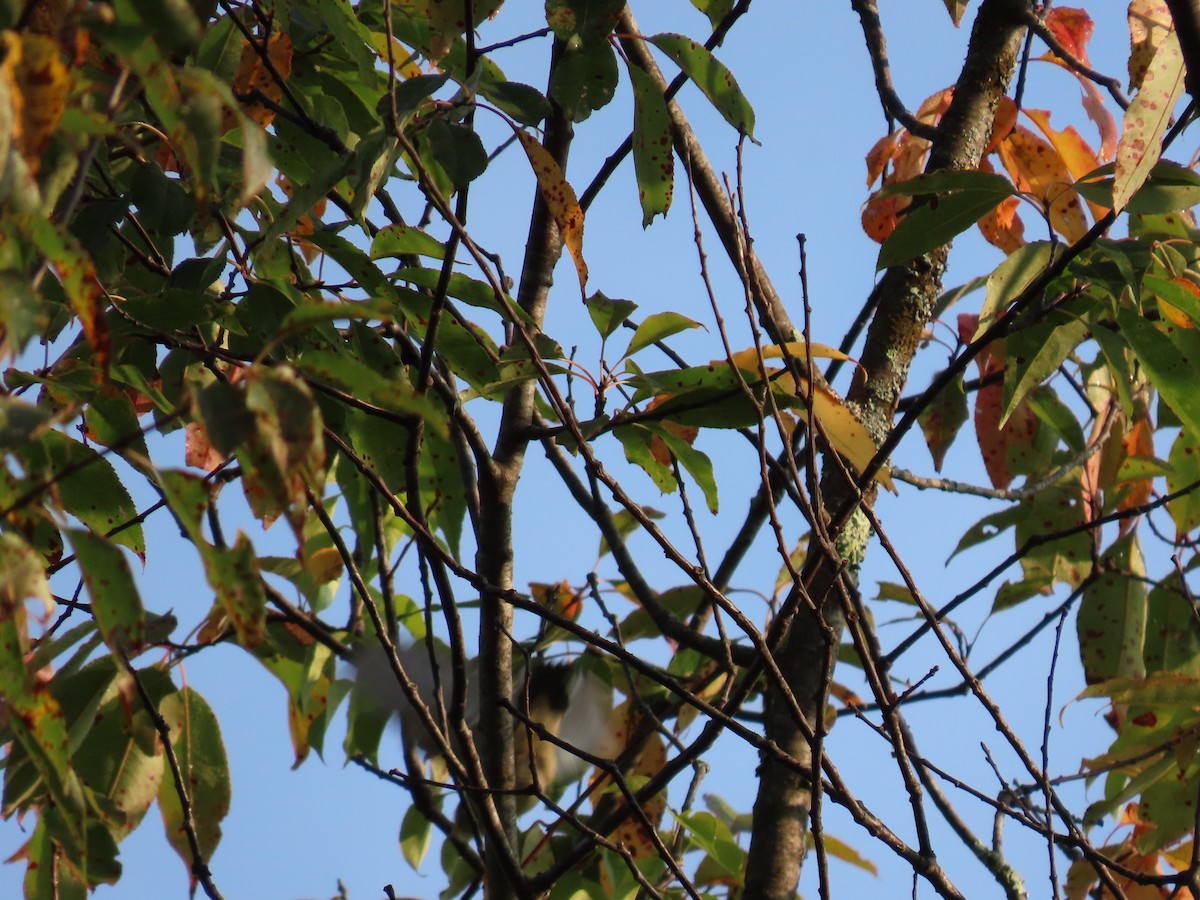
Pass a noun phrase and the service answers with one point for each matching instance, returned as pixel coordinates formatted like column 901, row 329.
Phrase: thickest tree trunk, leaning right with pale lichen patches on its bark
column 907, row 301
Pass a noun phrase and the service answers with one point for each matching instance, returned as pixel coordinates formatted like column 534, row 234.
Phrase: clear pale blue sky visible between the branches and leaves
column 292, row 835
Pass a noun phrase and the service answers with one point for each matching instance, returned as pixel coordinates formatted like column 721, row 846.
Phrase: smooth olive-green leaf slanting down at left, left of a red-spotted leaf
column 116, row 602
